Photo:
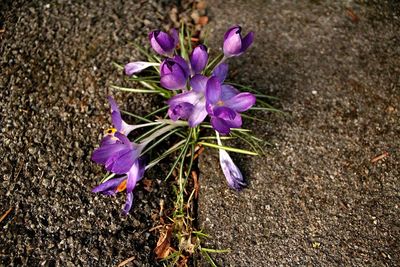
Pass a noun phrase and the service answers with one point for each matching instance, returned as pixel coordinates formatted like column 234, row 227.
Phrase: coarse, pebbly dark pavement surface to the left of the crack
column 55, row 73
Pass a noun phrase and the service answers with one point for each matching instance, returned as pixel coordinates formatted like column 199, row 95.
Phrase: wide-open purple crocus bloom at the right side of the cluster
column 224, row 102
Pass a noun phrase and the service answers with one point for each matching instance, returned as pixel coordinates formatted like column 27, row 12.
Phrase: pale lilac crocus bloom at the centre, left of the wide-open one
column 190, row 105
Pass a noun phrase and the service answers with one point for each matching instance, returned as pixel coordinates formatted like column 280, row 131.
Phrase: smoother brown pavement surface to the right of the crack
column 315, row 199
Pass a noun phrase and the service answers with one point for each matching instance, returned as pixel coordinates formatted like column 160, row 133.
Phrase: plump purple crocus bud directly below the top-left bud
column 174, row 73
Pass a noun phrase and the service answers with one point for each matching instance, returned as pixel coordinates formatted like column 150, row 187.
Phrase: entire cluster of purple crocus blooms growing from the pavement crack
column 199, row 92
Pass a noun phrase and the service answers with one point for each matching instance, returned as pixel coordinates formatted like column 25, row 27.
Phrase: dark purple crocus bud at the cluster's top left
column 164, row 43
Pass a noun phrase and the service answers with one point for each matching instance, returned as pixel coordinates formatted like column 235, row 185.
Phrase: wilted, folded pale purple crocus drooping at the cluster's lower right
column 232, row 173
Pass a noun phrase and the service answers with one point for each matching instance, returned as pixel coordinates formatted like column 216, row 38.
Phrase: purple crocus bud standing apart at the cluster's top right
column 234, row 44
